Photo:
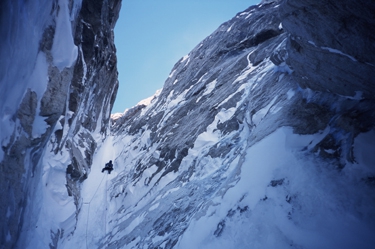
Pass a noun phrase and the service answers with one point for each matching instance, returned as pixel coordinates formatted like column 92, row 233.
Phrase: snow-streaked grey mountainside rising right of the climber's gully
column 262, row 137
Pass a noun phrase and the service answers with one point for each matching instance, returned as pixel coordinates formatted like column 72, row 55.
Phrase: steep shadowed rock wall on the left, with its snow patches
column 64, row 94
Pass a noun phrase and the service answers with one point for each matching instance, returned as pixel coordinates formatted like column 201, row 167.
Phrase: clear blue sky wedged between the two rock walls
column 152, row 35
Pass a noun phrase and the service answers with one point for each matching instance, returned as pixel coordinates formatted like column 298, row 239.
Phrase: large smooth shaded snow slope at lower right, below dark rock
column 311, row 218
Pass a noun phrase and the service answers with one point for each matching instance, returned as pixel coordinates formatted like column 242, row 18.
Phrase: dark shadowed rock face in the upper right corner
column 340, row 30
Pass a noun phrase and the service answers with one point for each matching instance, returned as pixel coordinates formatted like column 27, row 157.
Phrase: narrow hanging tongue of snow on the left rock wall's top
column 64, row 51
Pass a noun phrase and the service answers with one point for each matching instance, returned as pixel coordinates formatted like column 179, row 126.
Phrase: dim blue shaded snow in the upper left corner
column 21, row 34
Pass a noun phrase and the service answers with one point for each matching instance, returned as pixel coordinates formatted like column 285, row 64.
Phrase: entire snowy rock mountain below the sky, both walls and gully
column 263, row 136
